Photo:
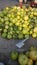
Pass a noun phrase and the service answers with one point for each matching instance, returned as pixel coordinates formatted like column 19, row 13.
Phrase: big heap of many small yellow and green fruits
column 18, row 23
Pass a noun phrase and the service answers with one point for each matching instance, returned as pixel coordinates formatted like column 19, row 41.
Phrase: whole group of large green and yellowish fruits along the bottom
column 28, row 57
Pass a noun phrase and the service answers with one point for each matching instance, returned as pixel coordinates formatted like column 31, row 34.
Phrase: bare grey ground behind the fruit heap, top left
column 4, row 3
